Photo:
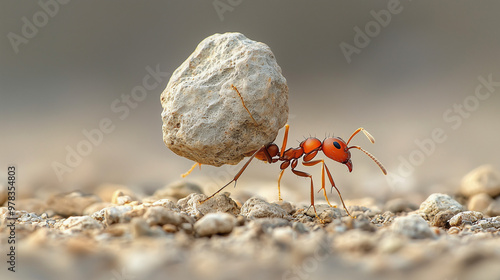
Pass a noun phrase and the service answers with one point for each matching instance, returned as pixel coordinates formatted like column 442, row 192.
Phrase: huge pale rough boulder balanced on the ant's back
column 204, row 118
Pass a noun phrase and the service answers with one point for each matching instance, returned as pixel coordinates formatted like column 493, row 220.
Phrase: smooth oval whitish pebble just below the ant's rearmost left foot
column 215, row 223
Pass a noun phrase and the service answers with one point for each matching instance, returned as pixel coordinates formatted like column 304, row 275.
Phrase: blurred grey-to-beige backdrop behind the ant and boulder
column 63, row 66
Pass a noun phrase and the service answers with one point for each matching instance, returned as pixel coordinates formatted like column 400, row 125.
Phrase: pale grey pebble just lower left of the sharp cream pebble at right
column 412, row 226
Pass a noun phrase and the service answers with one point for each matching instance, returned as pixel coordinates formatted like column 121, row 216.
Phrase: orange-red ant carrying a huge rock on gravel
column 333, row 147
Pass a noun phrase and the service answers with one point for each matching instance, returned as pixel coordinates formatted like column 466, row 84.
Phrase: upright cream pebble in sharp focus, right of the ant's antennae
column 438, row 202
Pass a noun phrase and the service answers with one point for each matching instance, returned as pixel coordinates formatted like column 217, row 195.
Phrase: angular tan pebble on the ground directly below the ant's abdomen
column 255, row 208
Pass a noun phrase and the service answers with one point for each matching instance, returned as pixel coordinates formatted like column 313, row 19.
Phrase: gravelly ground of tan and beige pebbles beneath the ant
column 116, row 234
